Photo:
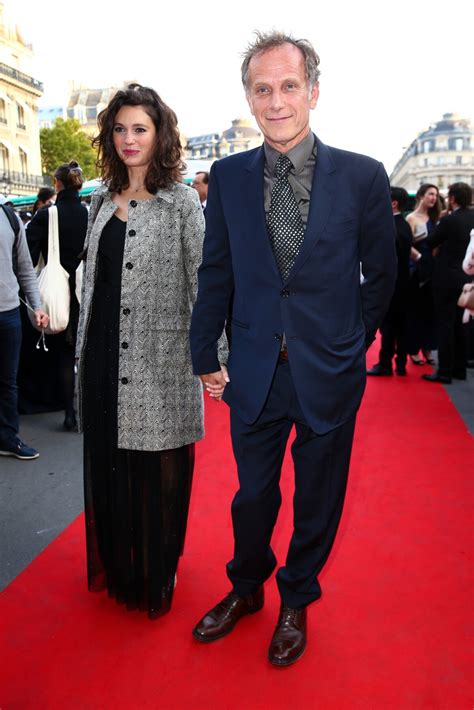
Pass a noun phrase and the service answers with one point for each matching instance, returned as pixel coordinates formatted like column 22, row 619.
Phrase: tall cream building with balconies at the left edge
column 20, row 156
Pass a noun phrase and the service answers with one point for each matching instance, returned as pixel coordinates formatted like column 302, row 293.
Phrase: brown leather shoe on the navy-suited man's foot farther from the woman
column 289, row 639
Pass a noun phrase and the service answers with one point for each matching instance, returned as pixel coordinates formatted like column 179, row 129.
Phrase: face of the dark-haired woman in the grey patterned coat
column 134, row 136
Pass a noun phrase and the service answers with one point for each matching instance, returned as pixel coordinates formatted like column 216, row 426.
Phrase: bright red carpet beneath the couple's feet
column 391, row 631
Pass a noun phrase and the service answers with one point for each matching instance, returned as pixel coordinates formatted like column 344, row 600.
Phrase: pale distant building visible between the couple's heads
column 240, row 136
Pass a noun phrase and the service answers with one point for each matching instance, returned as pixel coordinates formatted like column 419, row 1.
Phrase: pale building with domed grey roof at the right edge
column 441, row 155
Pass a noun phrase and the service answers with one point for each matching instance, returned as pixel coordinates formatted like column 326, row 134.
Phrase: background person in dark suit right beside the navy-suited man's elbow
column 393, row 328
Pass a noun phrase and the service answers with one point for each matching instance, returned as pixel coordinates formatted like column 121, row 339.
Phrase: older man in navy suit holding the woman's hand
column 290, row 227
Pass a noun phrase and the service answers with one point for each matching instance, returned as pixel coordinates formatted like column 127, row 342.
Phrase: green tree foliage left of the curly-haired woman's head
column 64, row 142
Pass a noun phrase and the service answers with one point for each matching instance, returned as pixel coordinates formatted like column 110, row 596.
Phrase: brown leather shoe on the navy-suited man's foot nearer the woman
column 222, row 618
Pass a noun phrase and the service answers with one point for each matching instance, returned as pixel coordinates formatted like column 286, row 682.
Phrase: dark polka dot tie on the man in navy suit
column 284, row 221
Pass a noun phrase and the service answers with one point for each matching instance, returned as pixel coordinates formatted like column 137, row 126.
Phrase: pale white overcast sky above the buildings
column 388, row 70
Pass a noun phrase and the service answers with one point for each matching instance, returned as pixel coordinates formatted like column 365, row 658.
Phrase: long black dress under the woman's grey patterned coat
column 136, row 502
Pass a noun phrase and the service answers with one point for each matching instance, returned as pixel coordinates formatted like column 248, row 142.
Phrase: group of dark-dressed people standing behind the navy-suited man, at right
column 434, row 244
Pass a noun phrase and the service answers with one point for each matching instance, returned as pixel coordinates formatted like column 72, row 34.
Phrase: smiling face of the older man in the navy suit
column 279, row 96
